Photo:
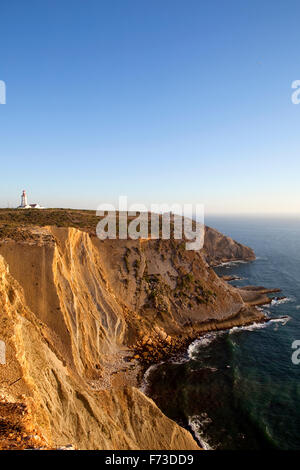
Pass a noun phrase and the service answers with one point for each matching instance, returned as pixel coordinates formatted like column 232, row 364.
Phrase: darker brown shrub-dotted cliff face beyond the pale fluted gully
column 167, row 289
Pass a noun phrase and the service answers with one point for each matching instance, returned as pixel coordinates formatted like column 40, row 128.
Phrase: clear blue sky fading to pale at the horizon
column 164, row 101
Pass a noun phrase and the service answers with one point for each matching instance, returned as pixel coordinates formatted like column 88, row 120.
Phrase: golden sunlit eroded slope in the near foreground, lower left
column 62, row 407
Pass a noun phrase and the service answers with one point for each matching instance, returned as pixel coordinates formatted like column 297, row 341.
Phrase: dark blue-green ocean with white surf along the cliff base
column 239, row 389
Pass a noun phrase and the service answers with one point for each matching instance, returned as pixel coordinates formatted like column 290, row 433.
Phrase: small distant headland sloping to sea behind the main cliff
column 219, row 248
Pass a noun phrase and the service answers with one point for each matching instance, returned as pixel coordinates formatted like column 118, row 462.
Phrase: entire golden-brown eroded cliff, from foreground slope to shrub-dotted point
column 71, row 305
